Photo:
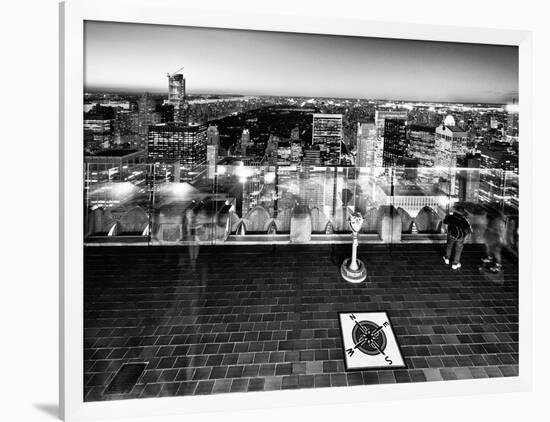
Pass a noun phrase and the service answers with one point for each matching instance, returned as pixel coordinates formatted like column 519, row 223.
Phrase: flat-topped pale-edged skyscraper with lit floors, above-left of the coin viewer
column 327, row 136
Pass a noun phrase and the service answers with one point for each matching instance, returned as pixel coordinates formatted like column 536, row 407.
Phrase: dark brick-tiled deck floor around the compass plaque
column 253, row 318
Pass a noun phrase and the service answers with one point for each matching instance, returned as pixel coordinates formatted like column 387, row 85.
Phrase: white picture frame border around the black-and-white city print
column 73, row 13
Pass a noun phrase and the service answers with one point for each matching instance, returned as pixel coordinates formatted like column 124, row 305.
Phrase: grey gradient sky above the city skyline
column 137, row 57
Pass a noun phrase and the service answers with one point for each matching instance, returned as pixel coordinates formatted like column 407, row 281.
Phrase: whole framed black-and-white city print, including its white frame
column 261, row 210
